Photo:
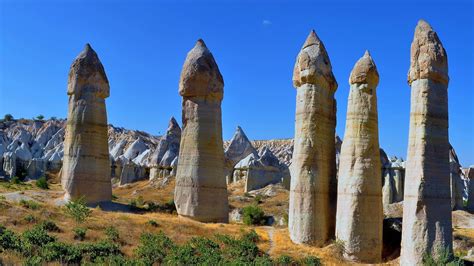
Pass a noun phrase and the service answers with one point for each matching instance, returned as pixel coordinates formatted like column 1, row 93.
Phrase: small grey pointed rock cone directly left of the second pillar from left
column 166, row 152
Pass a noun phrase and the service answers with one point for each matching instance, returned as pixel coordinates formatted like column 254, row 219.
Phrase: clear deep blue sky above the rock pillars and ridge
column 143, row 44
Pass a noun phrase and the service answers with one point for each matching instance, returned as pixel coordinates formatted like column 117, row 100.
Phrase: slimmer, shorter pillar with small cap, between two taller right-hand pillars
column 359, row 217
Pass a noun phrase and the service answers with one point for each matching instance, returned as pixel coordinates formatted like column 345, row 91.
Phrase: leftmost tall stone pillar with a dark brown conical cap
column 86, row 167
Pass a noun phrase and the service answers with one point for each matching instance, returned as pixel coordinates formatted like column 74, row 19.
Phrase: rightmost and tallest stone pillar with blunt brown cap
column 427, row 222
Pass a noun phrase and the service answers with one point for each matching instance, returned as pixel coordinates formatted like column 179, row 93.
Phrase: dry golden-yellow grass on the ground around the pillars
column 131, row 225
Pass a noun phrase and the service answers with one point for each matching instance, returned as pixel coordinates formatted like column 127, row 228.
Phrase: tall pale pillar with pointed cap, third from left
column 313, row 169
